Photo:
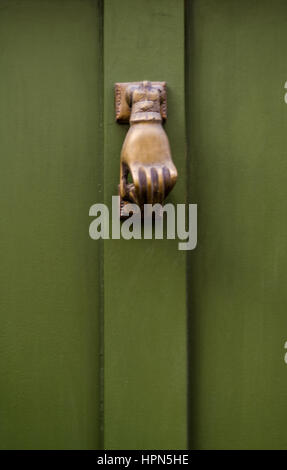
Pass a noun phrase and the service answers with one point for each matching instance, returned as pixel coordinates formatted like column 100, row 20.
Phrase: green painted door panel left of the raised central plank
column 49, row 151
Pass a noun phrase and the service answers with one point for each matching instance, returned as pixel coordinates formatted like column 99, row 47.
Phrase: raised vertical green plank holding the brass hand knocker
column 145, row 311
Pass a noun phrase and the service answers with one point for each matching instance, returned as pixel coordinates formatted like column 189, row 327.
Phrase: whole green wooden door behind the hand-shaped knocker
column 133, row 344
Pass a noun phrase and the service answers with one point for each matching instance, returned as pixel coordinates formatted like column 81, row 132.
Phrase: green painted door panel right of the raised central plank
column 237, row 275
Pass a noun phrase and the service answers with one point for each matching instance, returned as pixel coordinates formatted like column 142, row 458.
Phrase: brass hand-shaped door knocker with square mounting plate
column 145, row 153
